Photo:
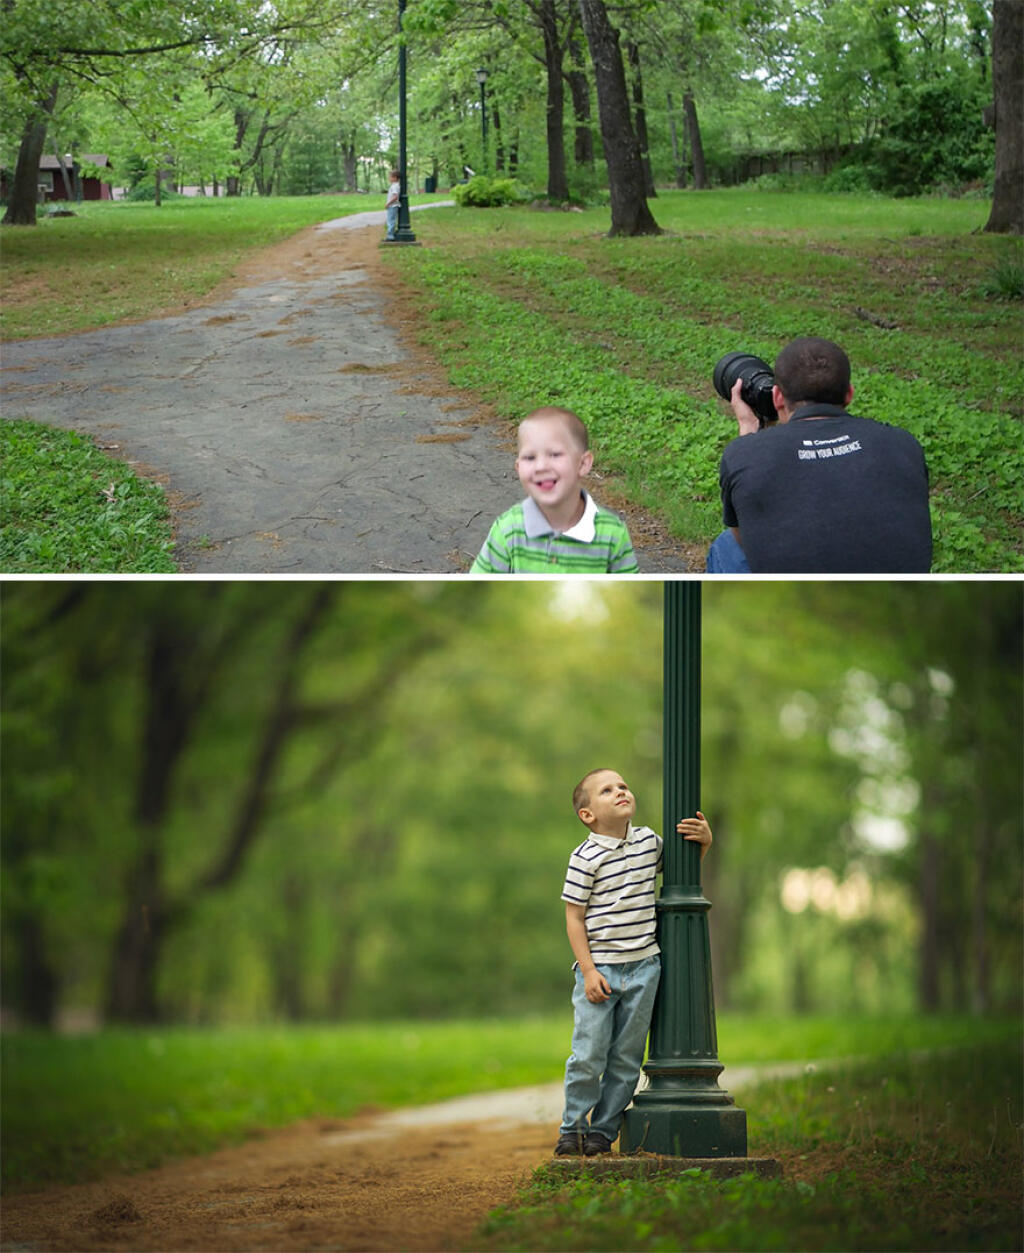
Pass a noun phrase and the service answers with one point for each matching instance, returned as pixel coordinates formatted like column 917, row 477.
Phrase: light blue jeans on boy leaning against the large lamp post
column 609, row 1043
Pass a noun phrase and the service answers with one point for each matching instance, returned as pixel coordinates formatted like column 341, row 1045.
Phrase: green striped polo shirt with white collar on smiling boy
column 523, row 542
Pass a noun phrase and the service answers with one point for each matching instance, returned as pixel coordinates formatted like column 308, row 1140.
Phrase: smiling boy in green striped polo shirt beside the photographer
column 558, row 528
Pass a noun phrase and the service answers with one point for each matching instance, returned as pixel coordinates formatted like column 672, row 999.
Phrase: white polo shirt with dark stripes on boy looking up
column 614, row 880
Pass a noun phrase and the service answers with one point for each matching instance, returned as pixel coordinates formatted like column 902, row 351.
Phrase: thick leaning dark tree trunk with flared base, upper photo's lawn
column 631, row 215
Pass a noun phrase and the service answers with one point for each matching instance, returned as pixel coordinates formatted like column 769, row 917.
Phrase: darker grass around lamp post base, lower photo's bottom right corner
column 909, row 1155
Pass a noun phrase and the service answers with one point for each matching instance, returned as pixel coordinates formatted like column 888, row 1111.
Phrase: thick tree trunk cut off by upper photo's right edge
column 1007, row 216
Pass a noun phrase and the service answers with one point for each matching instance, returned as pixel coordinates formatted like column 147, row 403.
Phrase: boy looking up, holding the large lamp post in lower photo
column 610, row 917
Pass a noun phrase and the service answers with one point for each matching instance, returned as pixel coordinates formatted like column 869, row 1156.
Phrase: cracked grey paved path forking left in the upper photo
column 293, row 420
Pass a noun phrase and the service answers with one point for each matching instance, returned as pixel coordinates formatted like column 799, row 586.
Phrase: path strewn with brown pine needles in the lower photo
column 415, row 1180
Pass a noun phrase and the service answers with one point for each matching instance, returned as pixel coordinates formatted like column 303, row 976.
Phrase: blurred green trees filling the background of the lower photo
column 318, row 801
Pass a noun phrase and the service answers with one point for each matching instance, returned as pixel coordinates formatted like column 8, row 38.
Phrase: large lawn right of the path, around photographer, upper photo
column 531, row 309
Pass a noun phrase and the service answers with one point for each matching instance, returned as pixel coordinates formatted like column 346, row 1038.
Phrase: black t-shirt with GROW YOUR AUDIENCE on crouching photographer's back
column 833, row 494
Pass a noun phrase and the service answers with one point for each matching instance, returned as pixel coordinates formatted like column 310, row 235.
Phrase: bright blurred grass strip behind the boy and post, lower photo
column 81, row 1107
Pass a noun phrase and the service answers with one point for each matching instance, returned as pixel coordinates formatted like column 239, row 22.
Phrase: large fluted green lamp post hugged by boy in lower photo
column 684, row 1113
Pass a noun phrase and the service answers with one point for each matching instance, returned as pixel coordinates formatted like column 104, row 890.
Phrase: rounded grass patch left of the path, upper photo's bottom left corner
column 67, row 508
